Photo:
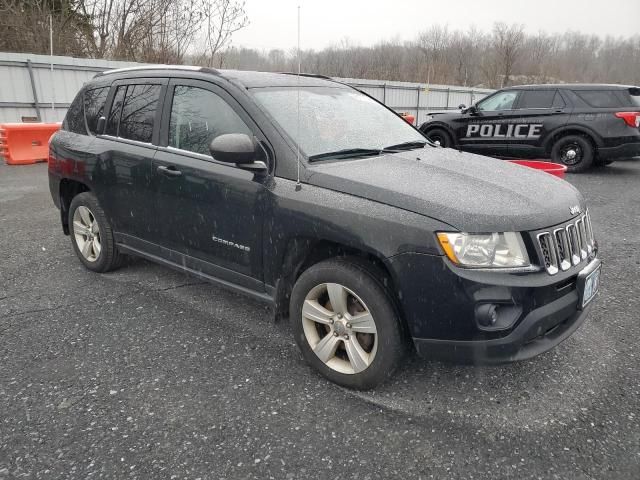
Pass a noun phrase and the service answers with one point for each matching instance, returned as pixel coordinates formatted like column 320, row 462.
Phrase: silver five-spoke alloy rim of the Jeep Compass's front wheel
column 339, row 328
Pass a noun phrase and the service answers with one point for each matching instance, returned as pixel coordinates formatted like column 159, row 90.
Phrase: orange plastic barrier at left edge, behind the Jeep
column 26, row 143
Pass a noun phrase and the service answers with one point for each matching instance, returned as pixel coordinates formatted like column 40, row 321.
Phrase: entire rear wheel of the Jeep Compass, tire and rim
column 91, row 235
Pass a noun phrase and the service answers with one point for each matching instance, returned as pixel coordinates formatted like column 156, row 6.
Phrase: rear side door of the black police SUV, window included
column 539, row 112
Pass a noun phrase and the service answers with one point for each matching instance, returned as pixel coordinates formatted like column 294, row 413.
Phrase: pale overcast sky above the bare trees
column 328, row 22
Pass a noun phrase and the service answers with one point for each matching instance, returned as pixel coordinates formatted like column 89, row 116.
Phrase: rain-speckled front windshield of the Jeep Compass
column 335, row 119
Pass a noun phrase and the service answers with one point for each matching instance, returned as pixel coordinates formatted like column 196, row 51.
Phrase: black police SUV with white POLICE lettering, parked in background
column 576, row 125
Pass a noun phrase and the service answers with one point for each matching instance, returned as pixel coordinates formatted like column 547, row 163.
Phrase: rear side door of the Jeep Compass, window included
column 126, row 150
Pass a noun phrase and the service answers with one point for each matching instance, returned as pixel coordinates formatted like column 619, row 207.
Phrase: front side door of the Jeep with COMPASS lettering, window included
column 211, row 211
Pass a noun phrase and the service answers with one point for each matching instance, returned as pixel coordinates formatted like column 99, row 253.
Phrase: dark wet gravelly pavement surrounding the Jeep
column 147, row 373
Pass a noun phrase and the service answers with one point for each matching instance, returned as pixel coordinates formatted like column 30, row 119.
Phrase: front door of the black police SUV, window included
column 487, row 130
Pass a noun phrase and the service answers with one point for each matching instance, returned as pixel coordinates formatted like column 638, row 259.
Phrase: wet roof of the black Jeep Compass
column 243, row 78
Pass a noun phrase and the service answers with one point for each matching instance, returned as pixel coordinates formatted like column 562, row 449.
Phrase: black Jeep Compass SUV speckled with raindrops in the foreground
column 368, row 237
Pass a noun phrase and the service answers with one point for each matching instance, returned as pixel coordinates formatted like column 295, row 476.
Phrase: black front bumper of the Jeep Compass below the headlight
column 442, row 319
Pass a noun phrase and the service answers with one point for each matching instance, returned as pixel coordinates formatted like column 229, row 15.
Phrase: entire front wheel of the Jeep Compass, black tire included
column 352, row 355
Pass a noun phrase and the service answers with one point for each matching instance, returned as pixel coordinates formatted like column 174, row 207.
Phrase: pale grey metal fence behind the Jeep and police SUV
column 32, row 89
